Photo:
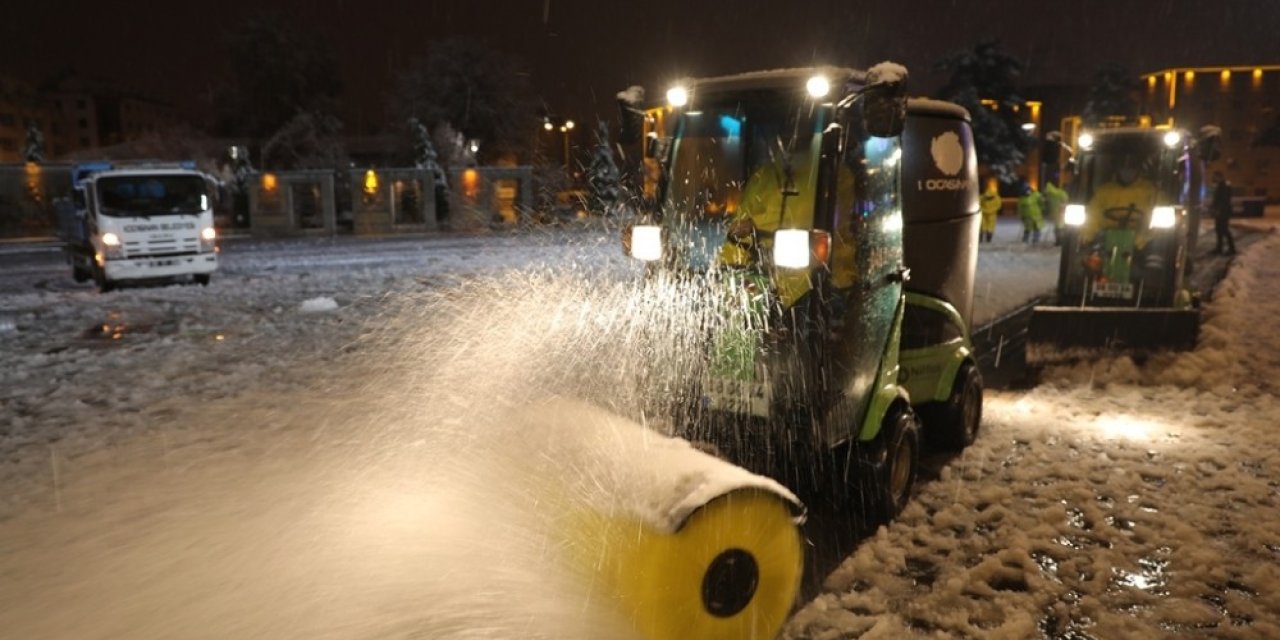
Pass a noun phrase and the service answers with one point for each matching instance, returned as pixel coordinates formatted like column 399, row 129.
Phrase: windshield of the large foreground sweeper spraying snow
column 728, row 145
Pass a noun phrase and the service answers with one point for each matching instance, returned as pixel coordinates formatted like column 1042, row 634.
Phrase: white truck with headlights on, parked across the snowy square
column 140, row 223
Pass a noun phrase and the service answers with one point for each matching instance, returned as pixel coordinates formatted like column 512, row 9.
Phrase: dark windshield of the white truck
column 153, row 195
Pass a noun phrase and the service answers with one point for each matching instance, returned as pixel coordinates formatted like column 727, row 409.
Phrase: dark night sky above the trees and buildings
column 580, row 53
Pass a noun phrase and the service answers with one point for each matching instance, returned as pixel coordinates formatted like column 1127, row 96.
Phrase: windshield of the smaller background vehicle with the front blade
column 1132, row 163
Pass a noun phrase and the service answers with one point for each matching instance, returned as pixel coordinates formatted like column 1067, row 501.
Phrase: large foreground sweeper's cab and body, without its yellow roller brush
column 822, row 232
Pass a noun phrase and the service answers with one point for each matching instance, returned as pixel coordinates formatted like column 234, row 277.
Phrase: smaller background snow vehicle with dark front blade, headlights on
column 1131, row 221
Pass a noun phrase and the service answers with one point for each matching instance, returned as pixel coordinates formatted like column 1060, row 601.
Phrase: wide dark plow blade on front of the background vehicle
column 1073, row 333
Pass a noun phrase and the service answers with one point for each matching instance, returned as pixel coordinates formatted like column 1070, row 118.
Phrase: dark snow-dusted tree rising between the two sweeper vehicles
column 988, row 74
